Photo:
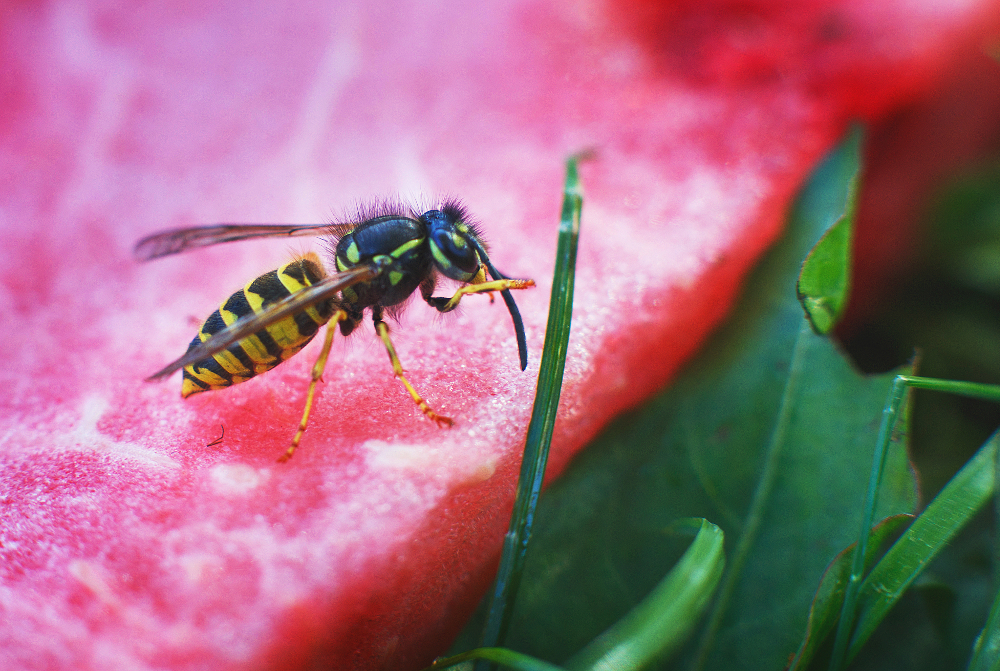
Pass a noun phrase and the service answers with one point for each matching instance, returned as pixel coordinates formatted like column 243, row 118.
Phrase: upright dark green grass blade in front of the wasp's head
column 543, row 416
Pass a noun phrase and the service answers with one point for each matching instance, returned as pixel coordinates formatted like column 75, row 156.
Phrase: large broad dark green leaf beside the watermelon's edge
column 769, row 434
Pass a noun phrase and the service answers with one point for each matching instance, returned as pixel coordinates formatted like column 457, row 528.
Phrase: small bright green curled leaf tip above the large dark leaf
column 824, row 281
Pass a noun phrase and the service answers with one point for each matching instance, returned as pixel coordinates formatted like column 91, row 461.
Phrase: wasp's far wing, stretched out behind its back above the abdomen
column 179, row 240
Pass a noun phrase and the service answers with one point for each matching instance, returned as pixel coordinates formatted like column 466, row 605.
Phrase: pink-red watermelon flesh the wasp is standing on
column 131, row 536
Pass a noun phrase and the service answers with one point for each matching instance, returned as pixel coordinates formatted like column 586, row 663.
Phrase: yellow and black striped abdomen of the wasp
column 268, row 347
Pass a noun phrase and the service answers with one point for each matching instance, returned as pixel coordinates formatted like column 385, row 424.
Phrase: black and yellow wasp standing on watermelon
column 382, row 256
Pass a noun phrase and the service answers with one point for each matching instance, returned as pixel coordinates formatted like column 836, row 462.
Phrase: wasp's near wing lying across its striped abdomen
column 252, row 323
